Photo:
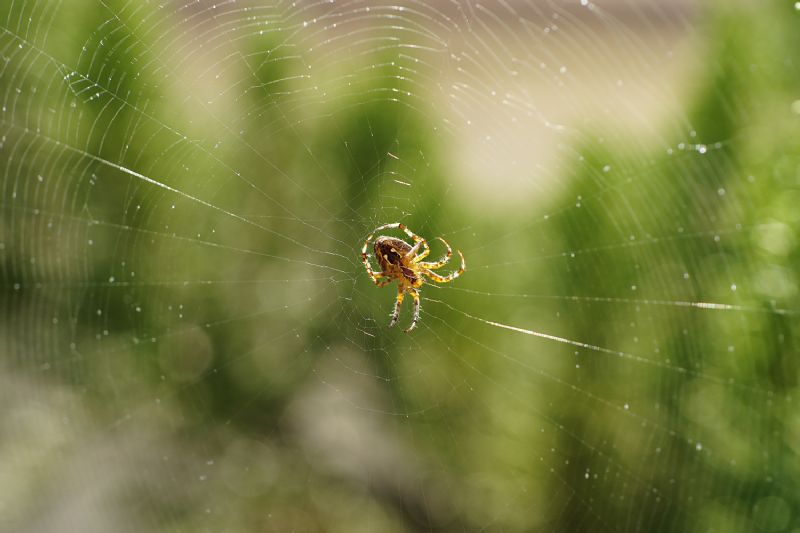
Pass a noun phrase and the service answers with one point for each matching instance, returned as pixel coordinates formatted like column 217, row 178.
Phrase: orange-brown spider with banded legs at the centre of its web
column 399, row 260
